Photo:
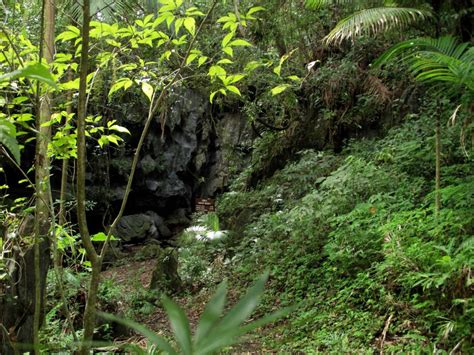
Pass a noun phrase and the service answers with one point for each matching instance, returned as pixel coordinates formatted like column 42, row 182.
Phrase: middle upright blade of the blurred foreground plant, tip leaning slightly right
column 211, row 314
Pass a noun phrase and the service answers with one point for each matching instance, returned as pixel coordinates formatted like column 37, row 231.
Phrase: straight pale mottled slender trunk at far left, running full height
column 42, row 165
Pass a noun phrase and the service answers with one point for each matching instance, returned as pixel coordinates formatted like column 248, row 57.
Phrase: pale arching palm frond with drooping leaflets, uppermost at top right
column 375, row 20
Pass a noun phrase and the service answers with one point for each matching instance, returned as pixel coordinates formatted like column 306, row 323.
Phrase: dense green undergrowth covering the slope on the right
column 354, row 239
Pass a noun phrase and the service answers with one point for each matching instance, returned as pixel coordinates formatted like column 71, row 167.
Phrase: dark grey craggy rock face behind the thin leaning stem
column 192, row 156
